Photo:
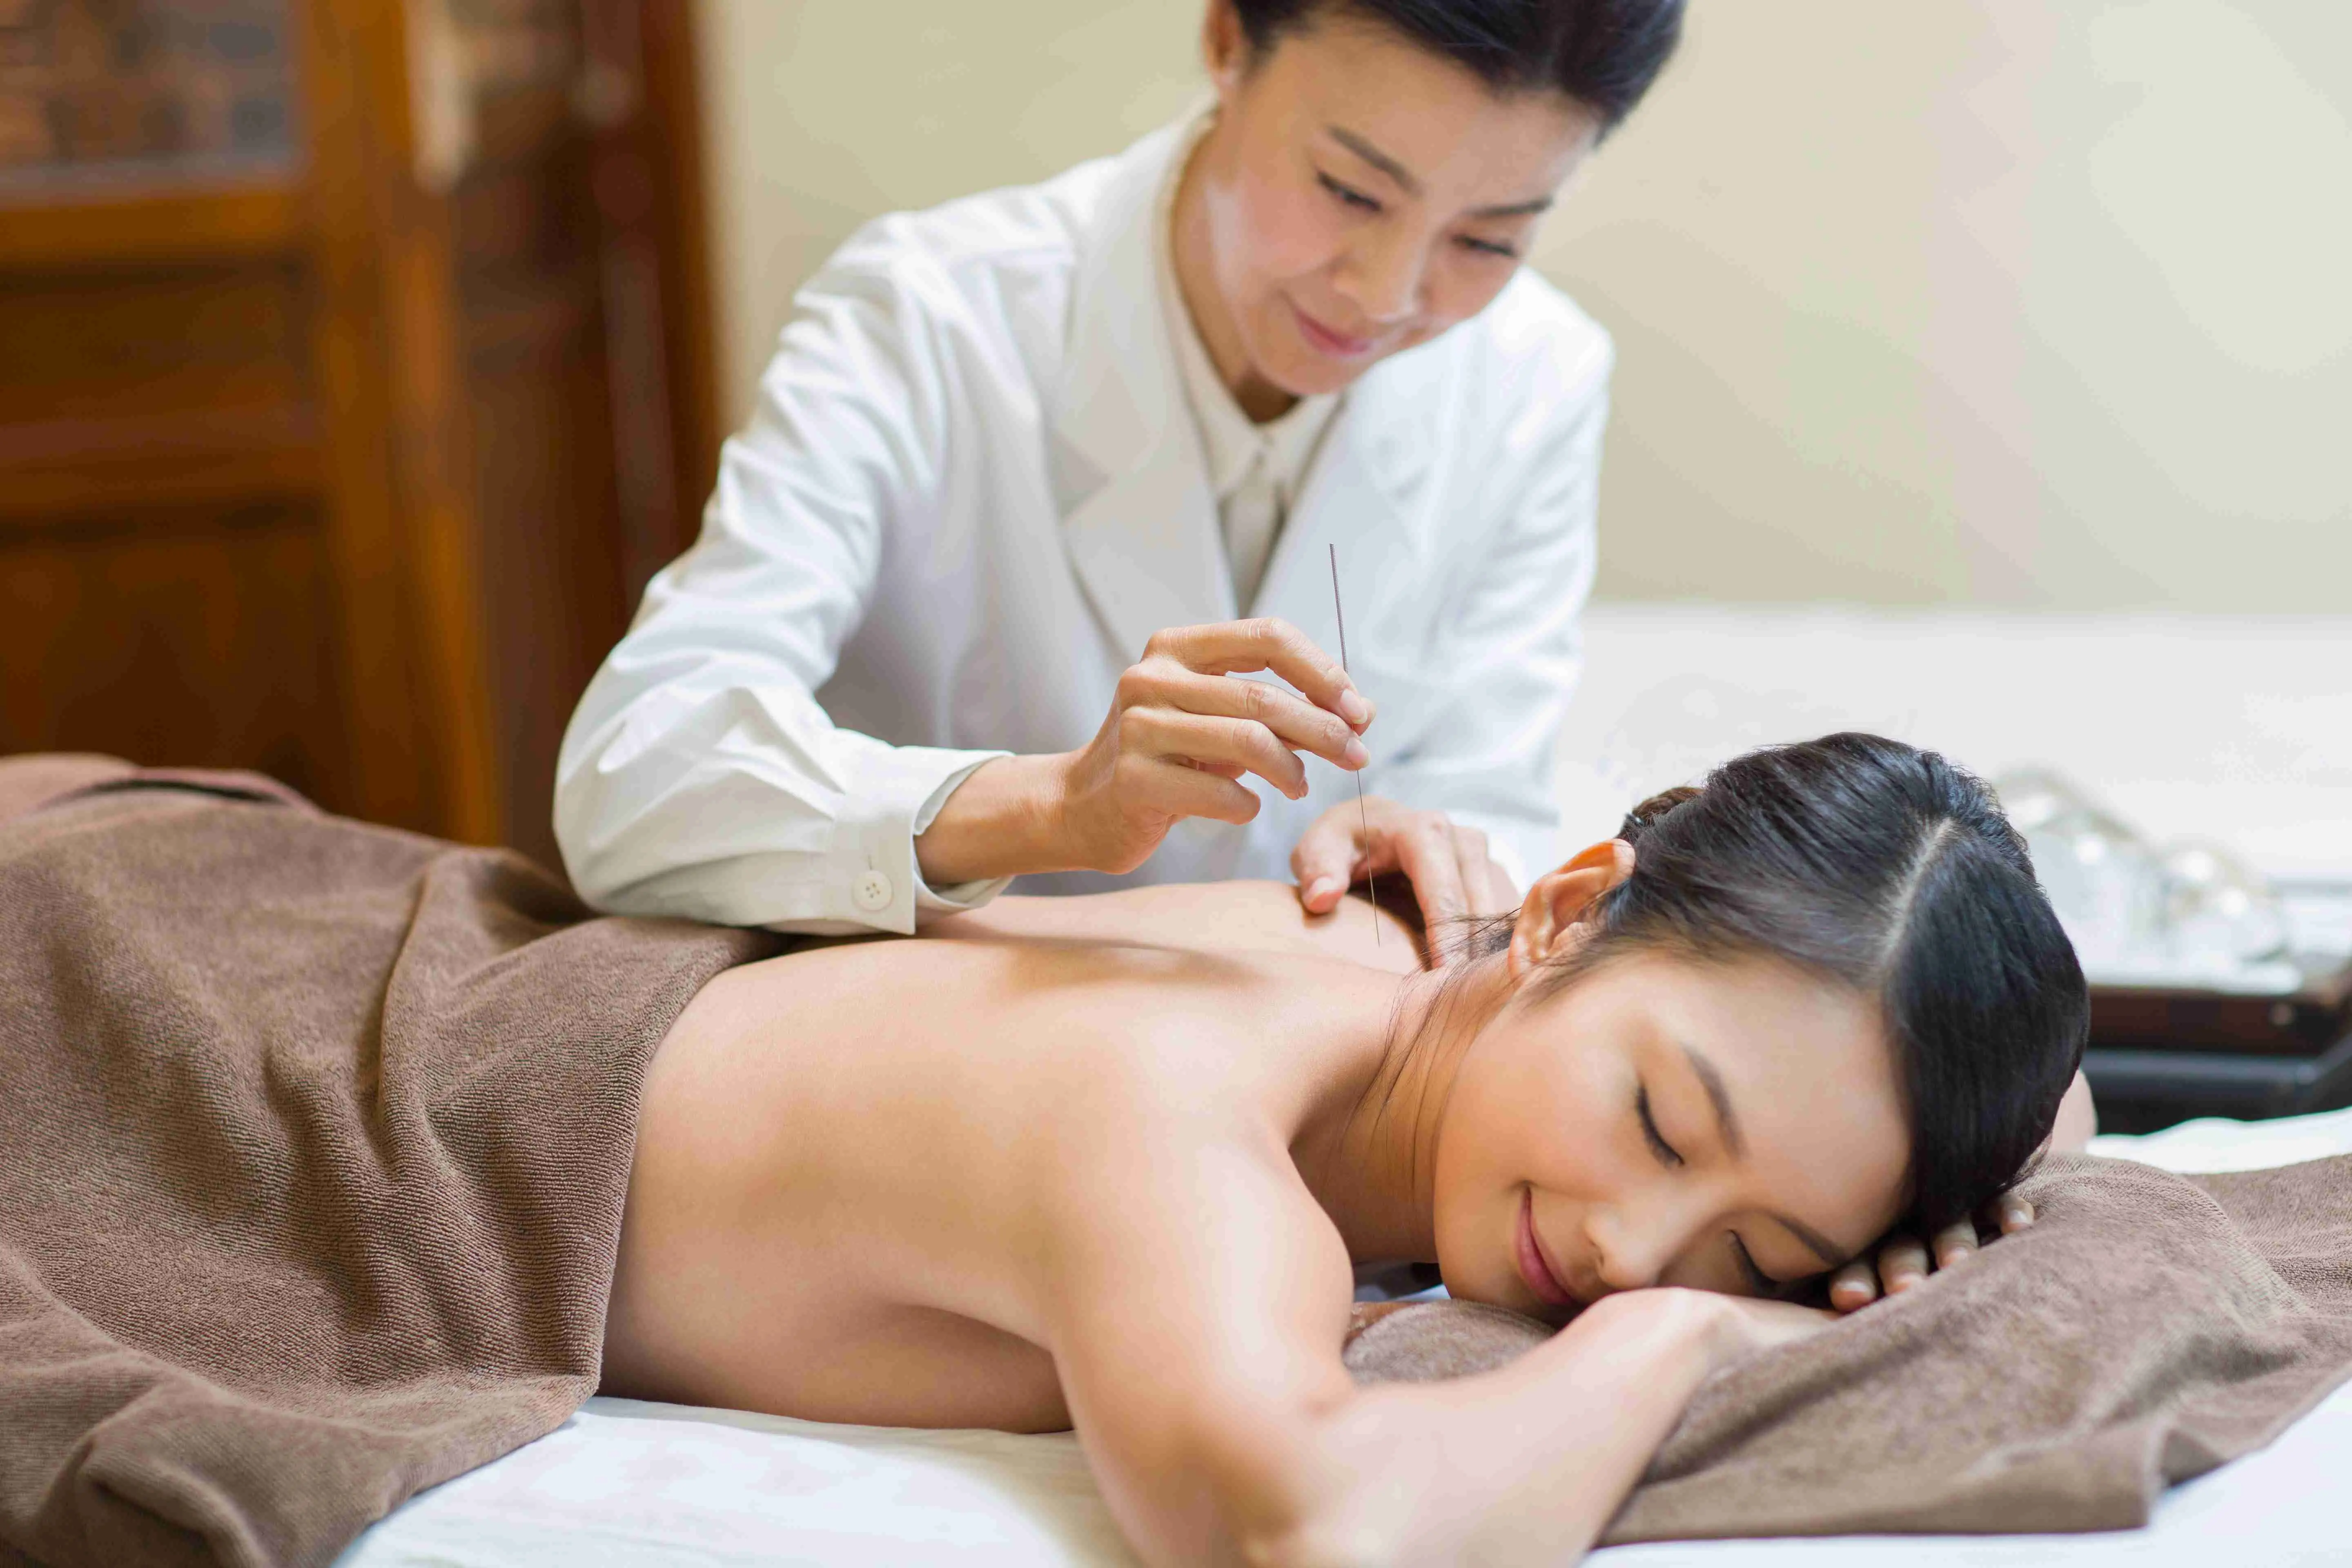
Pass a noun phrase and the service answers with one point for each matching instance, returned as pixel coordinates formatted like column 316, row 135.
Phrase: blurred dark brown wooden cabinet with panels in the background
column 354, row 380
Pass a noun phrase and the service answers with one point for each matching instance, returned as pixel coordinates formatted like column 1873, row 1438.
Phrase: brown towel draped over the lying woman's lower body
column 314, row 1141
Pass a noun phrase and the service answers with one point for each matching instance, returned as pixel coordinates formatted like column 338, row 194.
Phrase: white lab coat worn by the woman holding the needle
column 968, row 497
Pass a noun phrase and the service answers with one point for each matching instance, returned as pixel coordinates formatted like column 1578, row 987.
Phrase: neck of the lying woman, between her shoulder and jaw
column 1370, row 1151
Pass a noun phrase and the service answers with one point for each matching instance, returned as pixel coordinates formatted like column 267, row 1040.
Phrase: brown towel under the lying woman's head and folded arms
column 2144, row 1332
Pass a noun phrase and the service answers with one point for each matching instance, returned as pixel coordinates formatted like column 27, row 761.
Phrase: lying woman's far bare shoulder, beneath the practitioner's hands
column 1201, row 918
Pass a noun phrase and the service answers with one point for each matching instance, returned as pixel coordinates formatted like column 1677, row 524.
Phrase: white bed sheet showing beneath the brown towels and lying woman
column 636, row 1485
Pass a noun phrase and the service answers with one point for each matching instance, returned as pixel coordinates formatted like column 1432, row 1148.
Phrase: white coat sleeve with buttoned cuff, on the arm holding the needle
column 700, row 775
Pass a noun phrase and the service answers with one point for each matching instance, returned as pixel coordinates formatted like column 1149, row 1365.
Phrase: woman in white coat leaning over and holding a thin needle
column 1038, row 474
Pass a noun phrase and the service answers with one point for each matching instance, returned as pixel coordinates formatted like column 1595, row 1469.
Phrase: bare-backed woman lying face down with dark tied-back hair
column 1107, row 1162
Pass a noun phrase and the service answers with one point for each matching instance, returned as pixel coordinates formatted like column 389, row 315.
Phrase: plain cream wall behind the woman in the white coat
column 1930, row 302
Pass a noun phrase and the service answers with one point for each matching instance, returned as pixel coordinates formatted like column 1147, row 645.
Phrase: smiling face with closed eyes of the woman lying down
column 1666, row 1123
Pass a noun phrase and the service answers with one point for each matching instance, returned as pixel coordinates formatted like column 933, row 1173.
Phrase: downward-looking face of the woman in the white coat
column 1358, row 196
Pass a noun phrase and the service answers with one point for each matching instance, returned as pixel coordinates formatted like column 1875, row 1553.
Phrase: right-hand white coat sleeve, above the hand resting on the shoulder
column 1514, row 643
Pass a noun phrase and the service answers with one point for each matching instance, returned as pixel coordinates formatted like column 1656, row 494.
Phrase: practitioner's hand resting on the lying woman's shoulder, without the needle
column 1443, row 862
